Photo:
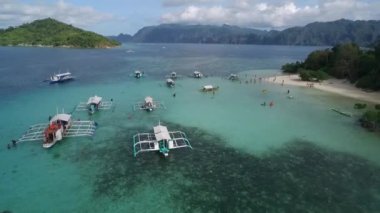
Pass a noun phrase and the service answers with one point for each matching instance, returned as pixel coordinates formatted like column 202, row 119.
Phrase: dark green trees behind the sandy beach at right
column 345, row 61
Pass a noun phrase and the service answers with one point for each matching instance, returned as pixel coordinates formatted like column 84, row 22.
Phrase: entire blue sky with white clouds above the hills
column 111, row 17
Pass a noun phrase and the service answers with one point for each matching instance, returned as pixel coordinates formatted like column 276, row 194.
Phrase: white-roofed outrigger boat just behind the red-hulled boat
column 94, row 104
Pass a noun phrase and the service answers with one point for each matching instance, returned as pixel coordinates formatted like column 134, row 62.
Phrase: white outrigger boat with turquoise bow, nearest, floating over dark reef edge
column 160, row 140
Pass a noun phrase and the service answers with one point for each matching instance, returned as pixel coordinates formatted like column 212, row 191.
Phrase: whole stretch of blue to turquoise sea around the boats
column 295, row 156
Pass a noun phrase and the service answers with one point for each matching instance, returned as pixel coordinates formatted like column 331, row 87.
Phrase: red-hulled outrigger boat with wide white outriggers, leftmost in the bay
column 59, row 127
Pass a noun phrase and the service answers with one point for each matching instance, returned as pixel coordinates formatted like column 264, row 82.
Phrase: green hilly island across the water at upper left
column 49, row 32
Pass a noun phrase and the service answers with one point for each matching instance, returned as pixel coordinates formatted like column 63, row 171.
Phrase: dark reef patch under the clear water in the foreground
column 300, row 177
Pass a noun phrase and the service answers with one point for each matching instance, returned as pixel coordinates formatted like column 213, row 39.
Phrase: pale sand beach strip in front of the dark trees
column 337, row 86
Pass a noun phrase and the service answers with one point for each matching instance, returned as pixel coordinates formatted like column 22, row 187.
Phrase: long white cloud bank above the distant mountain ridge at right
column 276, row 14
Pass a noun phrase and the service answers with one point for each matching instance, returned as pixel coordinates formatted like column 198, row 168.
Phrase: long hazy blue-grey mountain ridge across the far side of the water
column 364, row 33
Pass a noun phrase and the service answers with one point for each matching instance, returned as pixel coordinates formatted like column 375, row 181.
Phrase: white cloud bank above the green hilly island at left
column 15, row 13
